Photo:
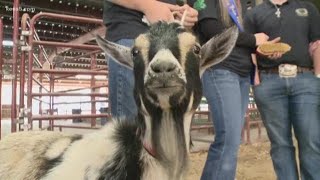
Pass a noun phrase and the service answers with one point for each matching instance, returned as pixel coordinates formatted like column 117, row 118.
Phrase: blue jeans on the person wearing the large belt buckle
column 291, row 102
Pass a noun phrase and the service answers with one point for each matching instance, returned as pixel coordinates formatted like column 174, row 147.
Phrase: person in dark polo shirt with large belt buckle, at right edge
column 288, row 96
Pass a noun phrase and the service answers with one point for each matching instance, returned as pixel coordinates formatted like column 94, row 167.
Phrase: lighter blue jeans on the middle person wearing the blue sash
column 227, row 94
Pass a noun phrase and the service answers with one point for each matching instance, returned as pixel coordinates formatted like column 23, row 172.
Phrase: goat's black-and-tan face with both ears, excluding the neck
column 168, row 62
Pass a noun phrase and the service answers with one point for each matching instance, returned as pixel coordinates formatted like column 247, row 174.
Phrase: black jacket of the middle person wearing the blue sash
column 210, row 25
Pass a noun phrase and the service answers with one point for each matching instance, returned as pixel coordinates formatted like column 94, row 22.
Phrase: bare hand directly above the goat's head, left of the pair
column 156, row 11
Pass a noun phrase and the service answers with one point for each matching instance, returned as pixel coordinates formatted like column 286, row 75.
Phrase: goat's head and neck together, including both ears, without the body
column 168, row 62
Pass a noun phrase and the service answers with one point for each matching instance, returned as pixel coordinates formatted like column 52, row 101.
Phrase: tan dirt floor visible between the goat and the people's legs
column 254, row 163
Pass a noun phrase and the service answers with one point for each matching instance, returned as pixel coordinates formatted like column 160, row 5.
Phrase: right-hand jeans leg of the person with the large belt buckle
column 305, row 115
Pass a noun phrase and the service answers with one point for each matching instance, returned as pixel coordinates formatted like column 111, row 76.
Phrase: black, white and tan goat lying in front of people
column 167, row 62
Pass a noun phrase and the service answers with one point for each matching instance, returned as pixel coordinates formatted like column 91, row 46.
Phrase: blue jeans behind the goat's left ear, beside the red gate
column 121, row 84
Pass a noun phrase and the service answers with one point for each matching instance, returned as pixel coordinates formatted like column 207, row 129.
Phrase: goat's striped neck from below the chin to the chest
column 167, row 132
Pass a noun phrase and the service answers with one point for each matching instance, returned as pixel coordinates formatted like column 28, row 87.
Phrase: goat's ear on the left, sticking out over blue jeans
column 120, row 54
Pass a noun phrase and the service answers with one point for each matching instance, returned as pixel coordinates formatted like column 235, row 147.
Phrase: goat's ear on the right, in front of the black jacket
column 218, row 48
